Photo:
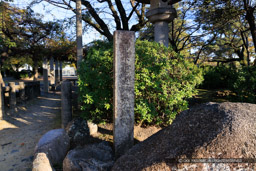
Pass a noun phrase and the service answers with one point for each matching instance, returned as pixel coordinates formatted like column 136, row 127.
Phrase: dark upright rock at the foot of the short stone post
column 79, row 132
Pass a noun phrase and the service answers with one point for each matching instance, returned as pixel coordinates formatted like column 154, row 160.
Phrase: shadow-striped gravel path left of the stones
column 21, row 130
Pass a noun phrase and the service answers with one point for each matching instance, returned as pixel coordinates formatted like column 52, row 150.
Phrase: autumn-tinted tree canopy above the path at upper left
column 26, row 39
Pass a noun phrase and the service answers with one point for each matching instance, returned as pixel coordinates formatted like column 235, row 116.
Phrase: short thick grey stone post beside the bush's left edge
column 66, row 103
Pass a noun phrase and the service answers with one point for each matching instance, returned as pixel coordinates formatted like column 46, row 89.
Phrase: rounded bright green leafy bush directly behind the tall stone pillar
column 163, row 82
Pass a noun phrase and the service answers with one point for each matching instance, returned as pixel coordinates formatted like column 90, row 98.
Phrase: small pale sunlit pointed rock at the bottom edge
column 41, row 163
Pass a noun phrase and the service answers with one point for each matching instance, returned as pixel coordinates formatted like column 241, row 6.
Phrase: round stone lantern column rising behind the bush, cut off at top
column 161, row 13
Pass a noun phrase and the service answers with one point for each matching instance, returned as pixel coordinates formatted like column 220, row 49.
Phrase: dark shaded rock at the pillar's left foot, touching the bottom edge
column 93, row 157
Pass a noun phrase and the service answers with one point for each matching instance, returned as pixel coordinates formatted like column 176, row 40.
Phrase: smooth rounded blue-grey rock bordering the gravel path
column 55, row 144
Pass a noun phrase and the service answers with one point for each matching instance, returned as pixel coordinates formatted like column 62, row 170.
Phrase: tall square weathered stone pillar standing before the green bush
column 124, row 73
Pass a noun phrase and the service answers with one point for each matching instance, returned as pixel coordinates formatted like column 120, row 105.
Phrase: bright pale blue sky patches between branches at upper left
column 52, row 13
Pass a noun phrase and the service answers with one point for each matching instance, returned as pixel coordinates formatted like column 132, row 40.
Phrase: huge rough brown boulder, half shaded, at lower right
column 207, row 132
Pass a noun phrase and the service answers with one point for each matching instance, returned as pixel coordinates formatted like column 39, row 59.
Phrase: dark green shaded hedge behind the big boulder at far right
column 241, row 81
